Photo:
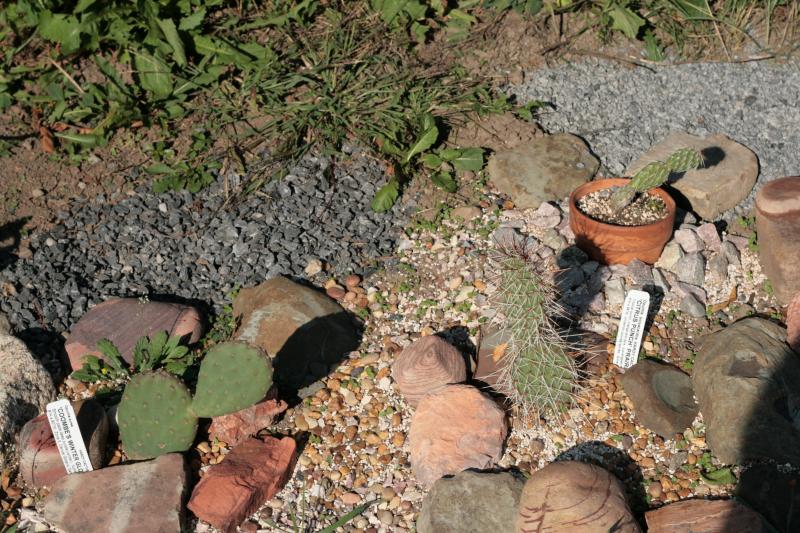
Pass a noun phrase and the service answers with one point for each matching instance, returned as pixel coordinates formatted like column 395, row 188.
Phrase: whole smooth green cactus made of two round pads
column 158, row 414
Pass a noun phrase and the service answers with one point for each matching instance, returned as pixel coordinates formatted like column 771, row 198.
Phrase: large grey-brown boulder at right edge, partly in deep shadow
column 747, row 382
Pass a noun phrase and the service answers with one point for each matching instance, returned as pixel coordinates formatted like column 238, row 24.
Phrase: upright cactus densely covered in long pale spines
column 536, row 370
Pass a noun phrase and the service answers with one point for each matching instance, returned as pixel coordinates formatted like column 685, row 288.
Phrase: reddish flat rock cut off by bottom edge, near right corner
column 706, row 516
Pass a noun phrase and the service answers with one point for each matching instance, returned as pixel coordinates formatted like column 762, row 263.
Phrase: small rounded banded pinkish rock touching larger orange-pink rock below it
column 425, row 366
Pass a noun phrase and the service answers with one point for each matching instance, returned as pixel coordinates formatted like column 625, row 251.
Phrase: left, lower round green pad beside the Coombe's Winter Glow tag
column 155, row 416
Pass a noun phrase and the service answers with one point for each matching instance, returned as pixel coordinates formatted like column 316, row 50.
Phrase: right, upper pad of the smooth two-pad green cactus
column 233, row 376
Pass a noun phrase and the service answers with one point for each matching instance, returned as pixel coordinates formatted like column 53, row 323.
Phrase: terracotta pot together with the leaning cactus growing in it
column 609, row 232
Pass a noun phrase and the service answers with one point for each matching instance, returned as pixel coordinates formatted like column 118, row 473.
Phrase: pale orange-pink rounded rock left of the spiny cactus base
column 455, row 429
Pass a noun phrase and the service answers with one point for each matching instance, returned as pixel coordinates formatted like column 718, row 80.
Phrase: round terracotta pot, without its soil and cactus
column 612, row 244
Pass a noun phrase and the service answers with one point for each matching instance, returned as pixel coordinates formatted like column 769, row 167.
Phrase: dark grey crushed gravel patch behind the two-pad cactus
column 189, row 247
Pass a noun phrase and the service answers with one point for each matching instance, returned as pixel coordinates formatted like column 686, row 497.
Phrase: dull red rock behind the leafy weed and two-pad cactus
column 124, row 320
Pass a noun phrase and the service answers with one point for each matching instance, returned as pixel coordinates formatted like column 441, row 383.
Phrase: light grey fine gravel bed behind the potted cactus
column 621, row 111
